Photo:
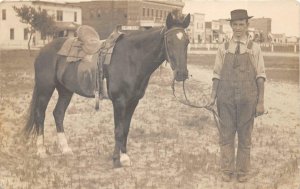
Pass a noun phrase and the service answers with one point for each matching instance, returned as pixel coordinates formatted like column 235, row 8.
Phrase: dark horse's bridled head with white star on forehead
column 176, row 42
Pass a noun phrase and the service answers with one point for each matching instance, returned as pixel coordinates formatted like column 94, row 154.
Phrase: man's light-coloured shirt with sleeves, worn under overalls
column 255, row 57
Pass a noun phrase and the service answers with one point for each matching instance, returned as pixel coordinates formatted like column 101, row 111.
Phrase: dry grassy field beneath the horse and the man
column 170, row 145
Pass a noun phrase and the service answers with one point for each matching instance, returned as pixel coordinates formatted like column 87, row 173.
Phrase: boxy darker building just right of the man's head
column 262, row 26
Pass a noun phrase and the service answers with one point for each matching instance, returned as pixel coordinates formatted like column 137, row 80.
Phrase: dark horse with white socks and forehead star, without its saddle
column 135, row 57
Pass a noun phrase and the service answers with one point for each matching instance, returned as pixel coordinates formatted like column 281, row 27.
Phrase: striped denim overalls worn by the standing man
column 236, row 103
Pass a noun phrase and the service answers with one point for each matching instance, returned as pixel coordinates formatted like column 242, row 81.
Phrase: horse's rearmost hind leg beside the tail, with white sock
column 43, row 97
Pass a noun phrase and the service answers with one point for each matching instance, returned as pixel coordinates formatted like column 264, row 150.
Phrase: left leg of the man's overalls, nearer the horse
column 227, row 113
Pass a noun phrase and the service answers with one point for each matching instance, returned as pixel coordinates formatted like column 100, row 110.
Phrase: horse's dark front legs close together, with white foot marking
column 123, row 112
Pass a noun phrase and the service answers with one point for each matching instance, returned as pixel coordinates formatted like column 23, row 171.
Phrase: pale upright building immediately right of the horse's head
column 196, row 29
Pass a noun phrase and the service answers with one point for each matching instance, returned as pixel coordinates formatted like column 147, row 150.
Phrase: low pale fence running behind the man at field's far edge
column 266, row 47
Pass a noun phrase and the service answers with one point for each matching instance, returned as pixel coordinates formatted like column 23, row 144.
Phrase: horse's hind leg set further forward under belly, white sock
column 63, row 102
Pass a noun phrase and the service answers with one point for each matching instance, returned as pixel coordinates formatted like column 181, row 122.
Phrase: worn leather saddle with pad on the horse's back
column 86, row 58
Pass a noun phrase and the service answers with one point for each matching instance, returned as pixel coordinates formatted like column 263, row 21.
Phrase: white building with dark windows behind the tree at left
column 15, row 35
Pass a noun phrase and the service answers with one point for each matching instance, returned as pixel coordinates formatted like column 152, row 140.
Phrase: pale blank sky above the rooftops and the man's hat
column 285, row 14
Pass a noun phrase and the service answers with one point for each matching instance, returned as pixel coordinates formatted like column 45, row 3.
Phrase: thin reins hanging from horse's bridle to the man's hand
column 217, row 119
